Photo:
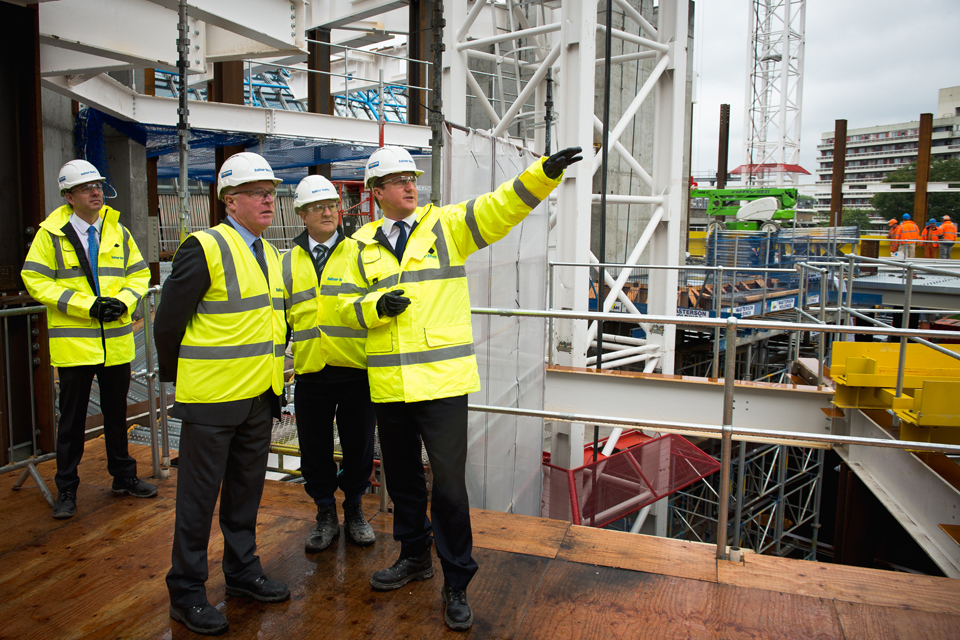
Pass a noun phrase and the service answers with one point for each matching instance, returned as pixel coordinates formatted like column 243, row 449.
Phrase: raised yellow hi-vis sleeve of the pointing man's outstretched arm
column 490, row 217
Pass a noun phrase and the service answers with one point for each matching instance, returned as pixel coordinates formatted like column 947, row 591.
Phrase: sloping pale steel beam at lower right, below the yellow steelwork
column 912, row 492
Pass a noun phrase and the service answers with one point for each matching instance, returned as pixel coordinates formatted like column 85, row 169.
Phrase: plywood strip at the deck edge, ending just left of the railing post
column 640, row 553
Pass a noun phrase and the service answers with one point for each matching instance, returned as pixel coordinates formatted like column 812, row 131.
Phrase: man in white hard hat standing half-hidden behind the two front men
column 330, row 364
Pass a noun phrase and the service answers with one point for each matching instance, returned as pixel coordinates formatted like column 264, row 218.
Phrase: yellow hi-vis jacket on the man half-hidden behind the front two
column 319, row 338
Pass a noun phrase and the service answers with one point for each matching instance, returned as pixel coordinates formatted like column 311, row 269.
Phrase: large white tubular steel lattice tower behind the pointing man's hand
column 566, row 42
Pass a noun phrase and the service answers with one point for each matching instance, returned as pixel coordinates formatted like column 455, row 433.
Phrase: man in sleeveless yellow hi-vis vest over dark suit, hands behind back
column 221, row 336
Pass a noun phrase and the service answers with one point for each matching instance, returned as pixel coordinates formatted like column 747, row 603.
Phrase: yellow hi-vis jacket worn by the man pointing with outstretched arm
column 427, row 352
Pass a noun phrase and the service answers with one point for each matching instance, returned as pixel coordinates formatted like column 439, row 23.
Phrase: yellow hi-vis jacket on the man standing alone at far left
column 53, row 276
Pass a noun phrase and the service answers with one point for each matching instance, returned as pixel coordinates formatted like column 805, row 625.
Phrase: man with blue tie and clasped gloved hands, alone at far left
column 86, row 268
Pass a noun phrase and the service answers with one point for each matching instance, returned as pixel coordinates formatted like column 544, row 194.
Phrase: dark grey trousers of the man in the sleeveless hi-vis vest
column 235, row 456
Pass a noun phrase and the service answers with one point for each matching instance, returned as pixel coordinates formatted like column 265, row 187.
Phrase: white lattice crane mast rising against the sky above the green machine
column 774, row 88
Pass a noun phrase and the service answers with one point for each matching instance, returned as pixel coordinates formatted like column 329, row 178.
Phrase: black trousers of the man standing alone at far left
column 75, row 385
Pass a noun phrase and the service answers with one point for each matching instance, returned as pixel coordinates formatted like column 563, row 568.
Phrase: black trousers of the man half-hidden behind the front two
column 317, row 404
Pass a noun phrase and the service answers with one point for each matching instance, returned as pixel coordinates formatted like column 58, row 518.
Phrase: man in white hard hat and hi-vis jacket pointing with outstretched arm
column 407, row 287
